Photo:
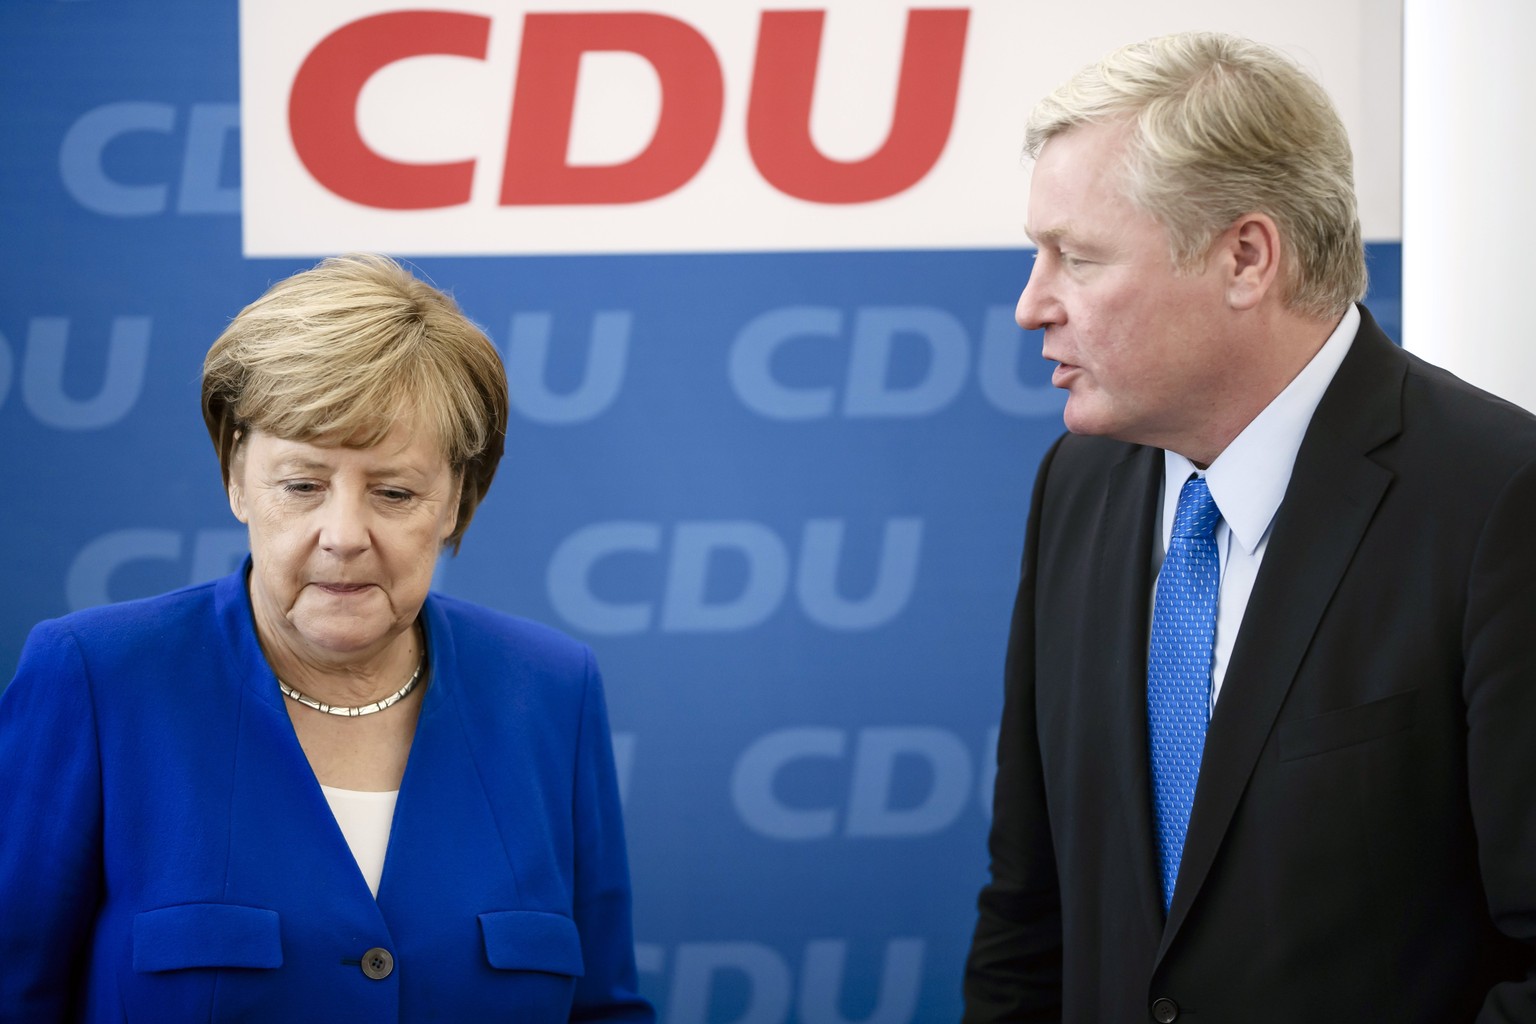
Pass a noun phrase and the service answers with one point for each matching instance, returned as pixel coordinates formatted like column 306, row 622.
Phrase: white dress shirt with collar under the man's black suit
column 1248, row 483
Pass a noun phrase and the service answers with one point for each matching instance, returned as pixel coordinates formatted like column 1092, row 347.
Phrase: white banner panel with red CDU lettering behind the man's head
column 482, row 127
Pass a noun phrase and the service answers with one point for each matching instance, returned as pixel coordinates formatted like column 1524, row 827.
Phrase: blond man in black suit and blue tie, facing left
column 1288, row 770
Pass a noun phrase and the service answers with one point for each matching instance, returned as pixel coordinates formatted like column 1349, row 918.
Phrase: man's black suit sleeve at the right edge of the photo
column 1500, row 690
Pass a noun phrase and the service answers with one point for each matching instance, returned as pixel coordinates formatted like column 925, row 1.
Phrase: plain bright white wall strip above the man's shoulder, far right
column 1469, row 211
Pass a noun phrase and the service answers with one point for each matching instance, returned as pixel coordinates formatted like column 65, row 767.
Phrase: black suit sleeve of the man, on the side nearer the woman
column 1015, row 968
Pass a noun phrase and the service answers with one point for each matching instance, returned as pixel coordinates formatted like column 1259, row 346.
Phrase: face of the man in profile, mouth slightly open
column 1140, row 349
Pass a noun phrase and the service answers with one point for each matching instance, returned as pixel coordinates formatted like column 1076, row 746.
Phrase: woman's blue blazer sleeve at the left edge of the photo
column 50, row 830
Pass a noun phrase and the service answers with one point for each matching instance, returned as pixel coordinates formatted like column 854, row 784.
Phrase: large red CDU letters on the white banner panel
column 323, row 108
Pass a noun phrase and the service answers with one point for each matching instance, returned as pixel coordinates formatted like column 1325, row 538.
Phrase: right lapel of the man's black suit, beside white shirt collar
column 1334, row 494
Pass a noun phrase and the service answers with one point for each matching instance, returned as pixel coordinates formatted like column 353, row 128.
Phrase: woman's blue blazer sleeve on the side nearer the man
column 609, row 991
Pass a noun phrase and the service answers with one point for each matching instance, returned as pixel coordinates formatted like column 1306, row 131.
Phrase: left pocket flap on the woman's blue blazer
column 207, row 936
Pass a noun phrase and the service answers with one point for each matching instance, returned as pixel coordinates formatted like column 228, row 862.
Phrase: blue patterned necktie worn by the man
column 1179, row 670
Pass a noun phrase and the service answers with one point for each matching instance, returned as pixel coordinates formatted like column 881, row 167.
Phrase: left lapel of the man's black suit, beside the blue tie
column 1117, row 664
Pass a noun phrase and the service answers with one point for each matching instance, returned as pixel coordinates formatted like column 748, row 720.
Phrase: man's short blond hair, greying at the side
column 1225, row 127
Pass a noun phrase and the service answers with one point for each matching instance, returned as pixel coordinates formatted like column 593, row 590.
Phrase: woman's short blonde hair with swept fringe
column 345, row 351
